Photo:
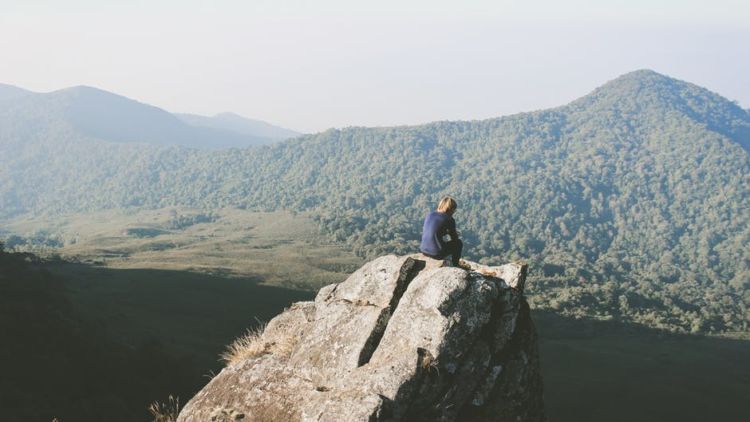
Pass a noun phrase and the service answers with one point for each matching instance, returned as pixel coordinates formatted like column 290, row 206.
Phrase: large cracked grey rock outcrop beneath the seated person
column 402, row 339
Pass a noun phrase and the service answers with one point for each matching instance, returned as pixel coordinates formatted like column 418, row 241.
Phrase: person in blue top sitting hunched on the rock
column 436, row 225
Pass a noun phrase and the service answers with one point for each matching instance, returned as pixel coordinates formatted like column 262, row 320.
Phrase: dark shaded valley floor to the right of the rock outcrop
column 605, row 371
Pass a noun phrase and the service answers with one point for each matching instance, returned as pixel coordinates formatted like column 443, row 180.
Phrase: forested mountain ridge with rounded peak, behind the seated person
column 631, row 202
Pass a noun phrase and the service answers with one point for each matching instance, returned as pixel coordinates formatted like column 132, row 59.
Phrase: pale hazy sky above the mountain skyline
column 311, row 65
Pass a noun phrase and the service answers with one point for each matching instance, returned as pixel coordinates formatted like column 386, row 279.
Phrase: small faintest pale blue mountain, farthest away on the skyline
column 236, row 123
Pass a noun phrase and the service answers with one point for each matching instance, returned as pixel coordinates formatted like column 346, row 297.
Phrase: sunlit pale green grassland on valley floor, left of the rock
column 279, row 248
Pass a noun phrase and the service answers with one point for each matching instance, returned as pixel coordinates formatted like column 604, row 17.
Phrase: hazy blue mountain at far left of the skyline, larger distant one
column 98, row 114
